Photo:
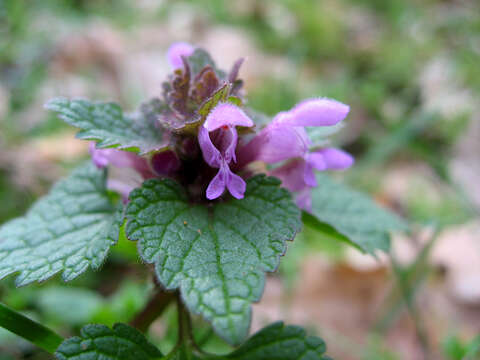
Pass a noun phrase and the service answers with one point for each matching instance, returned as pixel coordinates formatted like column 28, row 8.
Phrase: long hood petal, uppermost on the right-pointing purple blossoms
column 317, row 112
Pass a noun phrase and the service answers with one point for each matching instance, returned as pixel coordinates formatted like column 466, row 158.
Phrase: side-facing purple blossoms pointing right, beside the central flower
column 285, row 138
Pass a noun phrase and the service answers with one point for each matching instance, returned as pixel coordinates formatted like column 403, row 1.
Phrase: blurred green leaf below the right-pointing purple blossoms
column 354, row 215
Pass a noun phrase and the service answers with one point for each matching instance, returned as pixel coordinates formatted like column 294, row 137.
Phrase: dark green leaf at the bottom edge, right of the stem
column 280, row 342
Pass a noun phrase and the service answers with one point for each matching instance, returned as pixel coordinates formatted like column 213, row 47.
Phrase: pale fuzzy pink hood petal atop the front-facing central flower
column 225, row 114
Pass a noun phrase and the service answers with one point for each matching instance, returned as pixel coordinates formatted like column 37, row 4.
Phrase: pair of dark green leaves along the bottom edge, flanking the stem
column 275, row 342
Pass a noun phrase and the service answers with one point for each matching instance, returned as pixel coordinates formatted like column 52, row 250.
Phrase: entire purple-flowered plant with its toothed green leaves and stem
column 210, row 190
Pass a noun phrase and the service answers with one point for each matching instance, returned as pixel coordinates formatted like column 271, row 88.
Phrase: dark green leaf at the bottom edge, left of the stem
column 99, row 342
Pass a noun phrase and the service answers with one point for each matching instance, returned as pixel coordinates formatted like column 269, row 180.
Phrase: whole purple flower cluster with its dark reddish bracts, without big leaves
column 213, row 138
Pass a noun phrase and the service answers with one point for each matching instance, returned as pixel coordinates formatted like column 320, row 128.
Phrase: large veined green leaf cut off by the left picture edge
column 67, row 231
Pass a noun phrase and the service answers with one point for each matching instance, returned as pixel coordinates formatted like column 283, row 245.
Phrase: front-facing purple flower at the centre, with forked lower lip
column 218, row 140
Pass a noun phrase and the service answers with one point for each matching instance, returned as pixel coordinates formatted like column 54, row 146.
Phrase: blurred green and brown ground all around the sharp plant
column 409, row 69
